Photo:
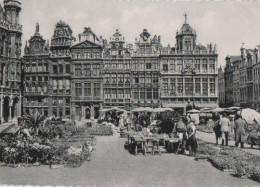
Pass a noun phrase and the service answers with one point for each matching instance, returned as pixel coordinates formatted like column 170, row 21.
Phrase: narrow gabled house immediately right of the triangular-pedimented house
column 117, row 72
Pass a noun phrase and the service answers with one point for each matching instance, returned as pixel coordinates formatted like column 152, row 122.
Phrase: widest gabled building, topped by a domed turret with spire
column 188, row 72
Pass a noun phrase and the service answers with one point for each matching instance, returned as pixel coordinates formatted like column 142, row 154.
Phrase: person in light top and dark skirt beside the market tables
column 191, row 143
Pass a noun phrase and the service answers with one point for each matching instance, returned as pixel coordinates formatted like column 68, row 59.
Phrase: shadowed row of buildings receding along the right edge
column 241, row 74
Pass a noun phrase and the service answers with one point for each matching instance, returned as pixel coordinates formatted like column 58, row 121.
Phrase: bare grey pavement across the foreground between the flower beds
column 112, row 165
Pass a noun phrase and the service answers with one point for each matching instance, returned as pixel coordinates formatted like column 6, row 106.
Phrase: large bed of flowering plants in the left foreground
column 47, row 143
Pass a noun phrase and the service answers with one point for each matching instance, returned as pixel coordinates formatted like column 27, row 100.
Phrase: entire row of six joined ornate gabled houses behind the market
column 75, row 79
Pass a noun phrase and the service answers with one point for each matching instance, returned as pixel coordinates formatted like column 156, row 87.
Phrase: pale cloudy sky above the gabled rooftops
column 226, row 23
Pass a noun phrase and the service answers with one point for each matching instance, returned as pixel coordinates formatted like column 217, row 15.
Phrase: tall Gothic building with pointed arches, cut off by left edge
column 10, row 61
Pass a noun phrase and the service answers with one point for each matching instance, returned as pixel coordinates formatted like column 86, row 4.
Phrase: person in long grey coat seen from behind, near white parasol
column 240, row 130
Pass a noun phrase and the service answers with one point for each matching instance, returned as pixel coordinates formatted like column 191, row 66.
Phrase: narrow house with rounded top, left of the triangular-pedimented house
column 60, row 70
